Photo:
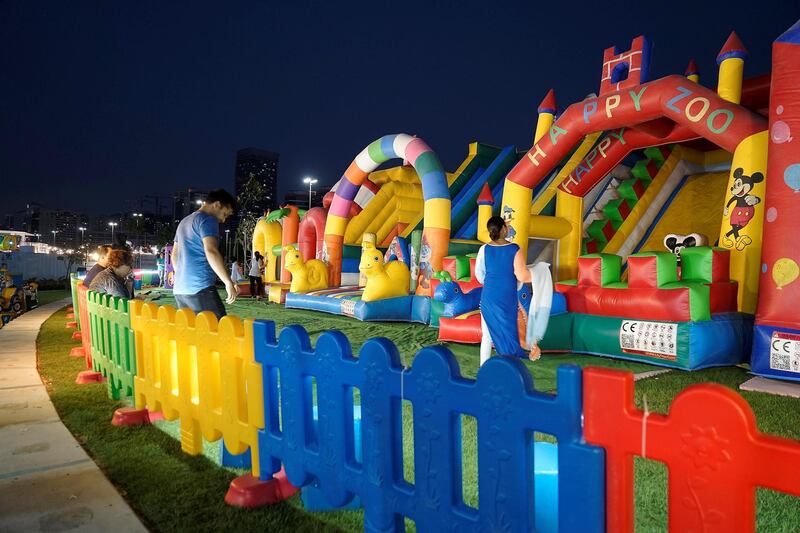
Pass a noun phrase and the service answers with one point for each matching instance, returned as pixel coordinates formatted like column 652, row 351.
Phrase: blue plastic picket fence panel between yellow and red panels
column 502, row 400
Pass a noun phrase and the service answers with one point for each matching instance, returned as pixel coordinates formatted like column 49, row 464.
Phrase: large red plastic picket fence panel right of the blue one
column 709, row 441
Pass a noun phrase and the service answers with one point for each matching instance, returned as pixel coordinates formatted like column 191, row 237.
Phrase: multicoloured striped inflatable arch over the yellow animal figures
column 436, row 225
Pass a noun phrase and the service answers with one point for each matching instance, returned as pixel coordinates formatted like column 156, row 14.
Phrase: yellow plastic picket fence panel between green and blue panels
column 193, row 368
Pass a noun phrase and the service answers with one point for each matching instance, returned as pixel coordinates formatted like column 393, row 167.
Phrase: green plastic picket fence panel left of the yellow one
column 113, row 346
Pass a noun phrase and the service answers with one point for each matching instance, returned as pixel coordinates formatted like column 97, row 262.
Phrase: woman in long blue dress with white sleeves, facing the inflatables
column 499, row 266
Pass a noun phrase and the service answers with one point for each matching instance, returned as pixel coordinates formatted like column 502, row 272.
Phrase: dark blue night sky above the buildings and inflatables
column 106, row 101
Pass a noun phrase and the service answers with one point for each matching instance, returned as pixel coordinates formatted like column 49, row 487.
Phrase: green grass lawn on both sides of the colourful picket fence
column 173, row 491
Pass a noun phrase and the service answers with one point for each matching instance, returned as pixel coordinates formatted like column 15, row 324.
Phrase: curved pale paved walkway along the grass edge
column 47, row 482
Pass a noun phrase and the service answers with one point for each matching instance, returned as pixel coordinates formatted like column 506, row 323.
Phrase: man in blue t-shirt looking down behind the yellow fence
column 197, row 260
